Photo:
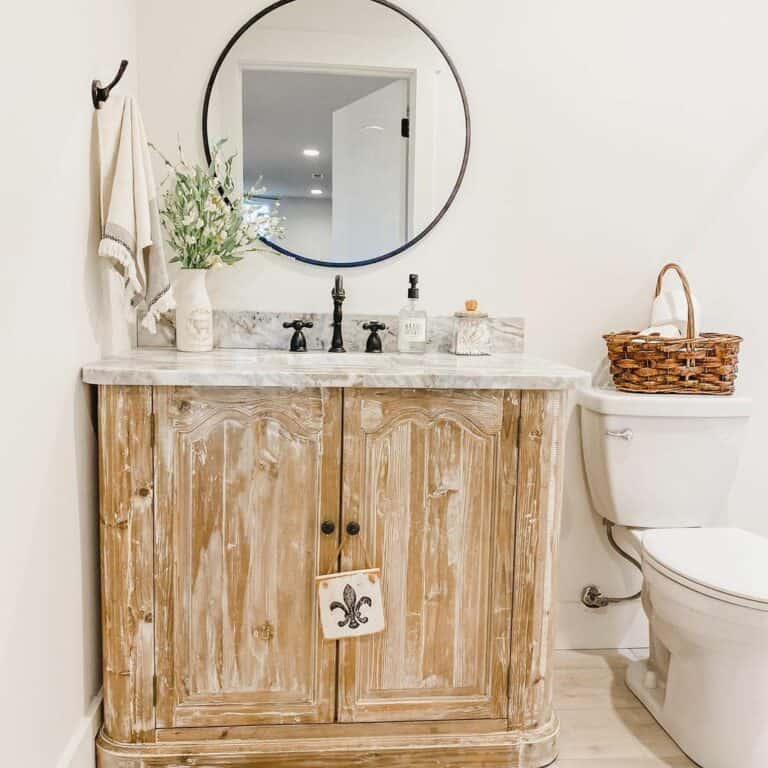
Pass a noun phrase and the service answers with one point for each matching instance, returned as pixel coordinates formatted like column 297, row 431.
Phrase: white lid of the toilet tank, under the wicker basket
column 611, row 402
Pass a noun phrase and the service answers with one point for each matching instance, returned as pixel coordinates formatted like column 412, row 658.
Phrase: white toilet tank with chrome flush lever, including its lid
column 661, row 461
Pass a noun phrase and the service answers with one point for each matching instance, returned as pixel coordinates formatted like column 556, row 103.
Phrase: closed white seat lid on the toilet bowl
column 726, row 560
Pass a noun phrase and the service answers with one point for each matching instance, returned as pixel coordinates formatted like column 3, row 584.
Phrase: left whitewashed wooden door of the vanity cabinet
column 244, row 480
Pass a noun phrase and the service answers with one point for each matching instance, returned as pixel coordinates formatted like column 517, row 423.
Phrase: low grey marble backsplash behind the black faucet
column 264, row 330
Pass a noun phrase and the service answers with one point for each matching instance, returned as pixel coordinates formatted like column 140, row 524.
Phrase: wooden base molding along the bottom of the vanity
column 511, row 749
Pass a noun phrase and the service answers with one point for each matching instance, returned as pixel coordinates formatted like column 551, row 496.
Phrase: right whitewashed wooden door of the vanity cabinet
column 430, row 477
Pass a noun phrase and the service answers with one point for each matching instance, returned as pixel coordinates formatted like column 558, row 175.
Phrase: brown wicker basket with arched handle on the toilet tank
column 696, row 365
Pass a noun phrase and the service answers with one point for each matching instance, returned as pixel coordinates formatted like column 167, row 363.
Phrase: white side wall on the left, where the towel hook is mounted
column 52, row 323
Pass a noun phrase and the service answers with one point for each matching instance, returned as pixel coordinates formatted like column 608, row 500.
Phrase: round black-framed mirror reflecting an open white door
column 349, row 121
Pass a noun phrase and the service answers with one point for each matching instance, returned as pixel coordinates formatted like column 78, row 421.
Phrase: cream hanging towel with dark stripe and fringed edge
column 131, row 230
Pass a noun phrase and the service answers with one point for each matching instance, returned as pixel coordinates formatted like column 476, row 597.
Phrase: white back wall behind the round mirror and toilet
column 609, row 137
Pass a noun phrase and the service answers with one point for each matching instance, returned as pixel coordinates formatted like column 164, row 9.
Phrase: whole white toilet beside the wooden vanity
column 660, row 468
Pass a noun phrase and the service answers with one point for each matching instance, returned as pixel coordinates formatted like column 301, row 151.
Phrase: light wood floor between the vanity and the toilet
column 602, row 724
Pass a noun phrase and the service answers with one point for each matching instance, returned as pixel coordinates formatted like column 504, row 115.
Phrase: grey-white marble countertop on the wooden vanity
column 251, row 368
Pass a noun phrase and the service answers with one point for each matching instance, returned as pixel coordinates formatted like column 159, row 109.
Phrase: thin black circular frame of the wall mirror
column 467, row 144
